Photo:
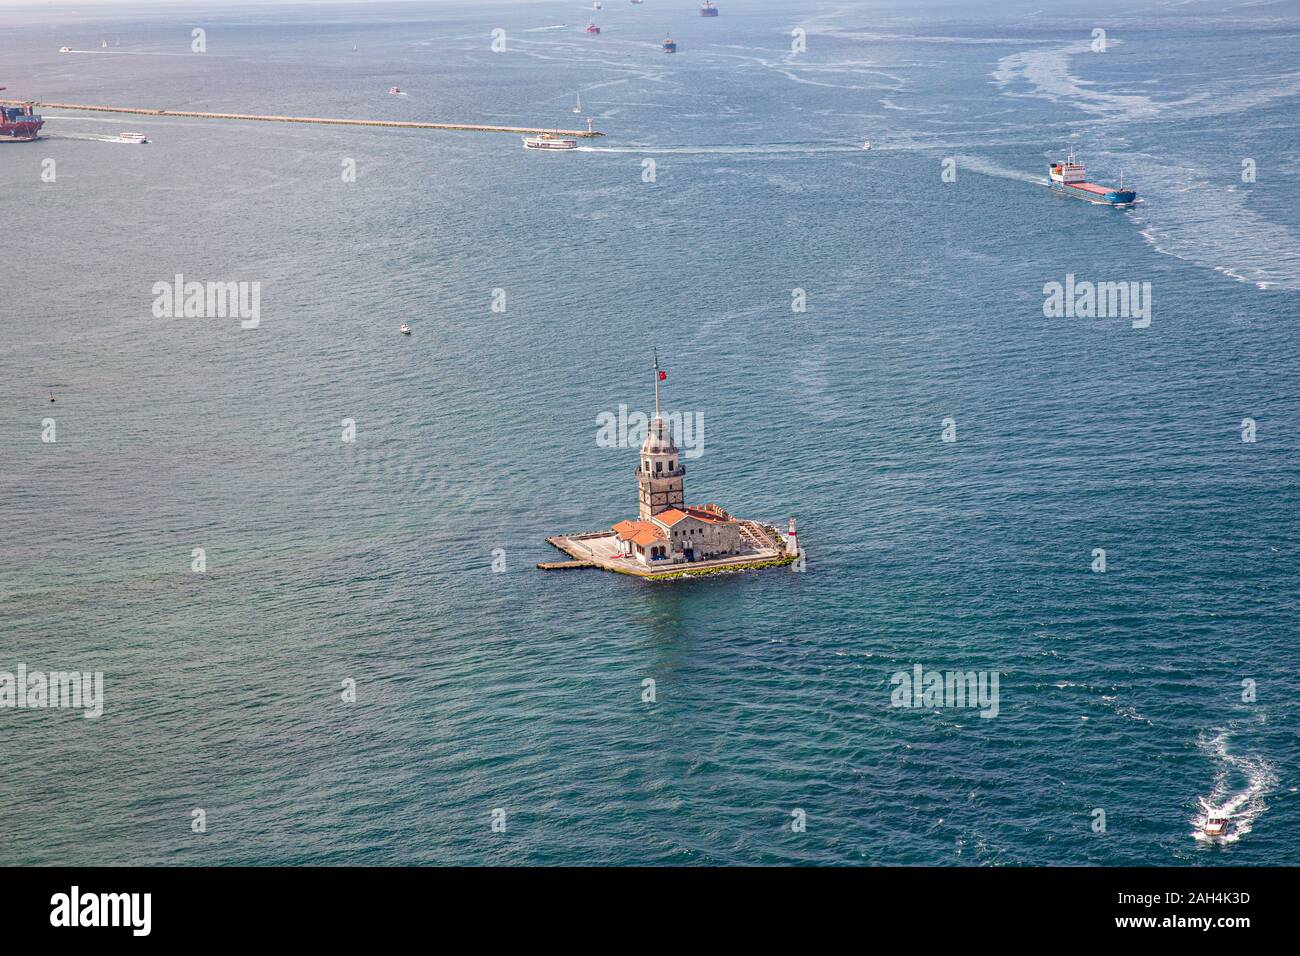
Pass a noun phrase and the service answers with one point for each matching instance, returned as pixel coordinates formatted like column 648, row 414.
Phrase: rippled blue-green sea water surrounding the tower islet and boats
column 523, row 691
